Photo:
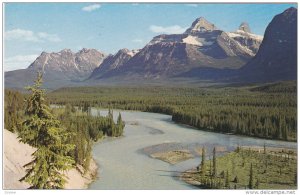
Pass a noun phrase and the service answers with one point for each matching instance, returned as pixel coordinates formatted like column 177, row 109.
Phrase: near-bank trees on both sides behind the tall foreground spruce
column 84, row 128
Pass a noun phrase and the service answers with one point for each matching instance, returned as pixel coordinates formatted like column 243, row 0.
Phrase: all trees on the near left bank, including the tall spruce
column 63, row 136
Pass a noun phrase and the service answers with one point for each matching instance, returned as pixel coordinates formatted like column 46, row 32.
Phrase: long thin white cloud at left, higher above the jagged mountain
column 27, row 35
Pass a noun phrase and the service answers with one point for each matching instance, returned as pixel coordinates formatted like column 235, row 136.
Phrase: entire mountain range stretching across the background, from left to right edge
column 203, row 53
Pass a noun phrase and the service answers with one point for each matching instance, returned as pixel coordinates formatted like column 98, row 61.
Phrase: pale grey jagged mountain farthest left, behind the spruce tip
column 60, row 69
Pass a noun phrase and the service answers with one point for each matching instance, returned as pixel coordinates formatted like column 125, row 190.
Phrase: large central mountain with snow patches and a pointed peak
column 202, row 45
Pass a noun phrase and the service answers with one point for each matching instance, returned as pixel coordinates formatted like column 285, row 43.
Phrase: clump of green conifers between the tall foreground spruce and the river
column 86, row 129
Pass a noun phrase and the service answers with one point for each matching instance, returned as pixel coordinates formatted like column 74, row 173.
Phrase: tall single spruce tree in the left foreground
column 43, row 131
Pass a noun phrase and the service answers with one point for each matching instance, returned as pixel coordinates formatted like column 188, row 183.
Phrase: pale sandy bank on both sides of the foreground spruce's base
column 16, row 154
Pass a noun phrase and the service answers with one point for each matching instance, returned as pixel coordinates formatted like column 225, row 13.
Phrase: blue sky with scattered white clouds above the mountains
column 31, row 28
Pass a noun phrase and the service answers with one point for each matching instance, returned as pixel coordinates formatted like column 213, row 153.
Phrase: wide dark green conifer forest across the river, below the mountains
column 228, row 110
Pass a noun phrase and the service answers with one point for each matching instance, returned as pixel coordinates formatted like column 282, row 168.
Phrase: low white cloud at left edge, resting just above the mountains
column 18, row 62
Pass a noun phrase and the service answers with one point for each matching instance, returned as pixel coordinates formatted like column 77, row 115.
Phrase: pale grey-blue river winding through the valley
column 123, row 164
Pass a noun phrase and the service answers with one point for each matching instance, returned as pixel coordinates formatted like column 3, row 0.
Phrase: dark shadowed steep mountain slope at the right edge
column 276, row 58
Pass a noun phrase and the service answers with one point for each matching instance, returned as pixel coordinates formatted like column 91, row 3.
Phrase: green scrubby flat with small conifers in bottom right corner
column 259, row 177
